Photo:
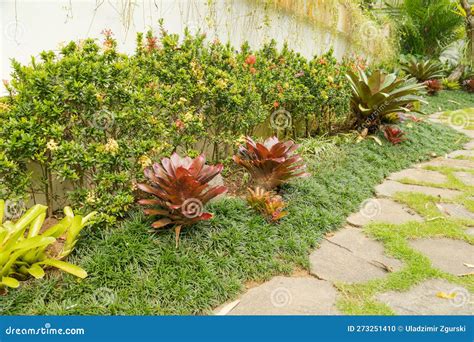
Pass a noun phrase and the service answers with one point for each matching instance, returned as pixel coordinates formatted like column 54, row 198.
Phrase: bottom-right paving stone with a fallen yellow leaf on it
column 432, row 297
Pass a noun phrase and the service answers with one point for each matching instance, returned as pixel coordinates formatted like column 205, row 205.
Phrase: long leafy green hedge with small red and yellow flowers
column 94, row 118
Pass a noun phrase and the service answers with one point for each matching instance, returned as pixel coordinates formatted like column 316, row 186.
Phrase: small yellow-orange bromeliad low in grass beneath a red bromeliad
column 270, row 205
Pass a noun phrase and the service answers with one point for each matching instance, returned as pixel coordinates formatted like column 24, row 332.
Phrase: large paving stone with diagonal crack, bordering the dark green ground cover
column 351, row 257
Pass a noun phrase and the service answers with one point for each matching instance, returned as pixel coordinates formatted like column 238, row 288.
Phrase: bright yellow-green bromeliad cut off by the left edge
column 26, row 247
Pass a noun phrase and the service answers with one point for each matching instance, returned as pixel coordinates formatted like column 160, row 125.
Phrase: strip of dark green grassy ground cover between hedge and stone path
column 136, row 273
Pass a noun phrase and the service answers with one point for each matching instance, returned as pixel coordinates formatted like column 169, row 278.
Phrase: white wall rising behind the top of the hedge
column 30, row 26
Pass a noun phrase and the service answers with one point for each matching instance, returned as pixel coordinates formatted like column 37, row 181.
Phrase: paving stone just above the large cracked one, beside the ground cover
column 382, row 210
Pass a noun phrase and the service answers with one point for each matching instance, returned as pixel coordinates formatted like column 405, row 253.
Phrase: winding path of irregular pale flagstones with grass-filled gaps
column 350, row 257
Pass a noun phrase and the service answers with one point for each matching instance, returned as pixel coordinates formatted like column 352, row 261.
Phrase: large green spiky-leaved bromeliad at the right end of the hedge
column 376, row 96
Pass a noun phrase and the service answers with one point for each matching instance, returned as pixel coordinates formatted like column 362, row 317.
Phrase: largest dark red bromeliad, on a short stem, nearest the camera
column 181, row 189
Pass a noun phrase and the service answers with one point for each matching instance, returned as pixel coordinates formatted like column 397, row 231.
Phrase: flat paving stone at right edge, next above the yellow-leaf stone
column 448, row 255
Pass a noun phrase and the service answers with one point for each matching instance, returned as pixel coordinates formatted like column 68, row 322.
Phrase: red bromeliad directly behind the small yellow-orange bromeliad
column 272, row 163
